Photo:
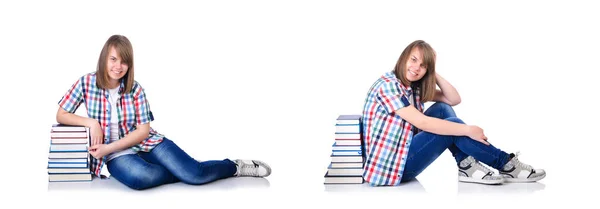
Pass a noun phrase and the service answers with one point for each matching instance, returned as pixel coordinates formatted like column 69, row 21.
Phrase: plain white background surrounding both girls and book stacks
column 267, row 79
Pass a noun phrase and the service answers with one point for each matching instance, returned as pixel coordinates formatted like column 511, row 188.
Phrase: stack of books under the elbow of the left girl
column 68, row 158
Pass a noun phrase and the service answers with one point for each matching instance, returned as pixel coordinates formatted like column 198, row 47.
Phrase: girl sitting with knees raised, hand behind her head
column 401, row 141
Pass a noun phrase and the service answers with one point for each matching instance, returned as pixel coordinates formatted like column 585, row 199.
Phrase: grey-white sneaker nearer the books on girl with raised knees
column 472, row 171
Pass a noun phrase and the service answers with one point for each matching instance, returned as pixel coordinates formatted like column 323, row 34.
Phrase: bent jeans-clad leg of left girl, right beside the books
column 136, row 173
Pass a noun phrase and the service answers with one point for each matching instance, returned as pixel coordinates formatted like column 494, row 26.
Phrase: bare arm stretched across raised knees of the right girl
column 439, row 126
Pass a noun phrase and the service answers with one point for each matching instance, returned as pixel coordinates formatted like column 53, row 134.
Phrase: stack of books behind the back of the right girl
column 347, row 158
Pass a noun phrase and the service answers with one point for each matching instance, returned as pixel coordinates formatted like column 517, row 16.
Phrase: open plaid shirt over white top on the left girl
column 132, row 108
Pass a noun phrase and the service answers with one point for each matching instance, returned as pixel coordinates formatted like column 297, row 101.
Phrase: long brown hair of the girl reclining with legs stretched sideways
column 125, row 50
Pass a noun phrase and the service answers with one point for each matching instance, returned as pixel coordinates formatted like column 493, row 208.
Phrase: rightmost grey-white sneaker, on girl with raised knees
column 516, row 171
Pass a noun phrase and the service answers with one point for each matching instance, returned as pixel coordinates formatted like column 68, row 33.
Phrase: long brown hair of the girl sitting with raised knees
column 426, row 85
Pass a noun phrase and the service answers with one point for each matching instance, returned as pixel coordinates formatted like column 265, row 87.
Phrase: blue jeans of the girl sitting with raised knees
column 427, row 147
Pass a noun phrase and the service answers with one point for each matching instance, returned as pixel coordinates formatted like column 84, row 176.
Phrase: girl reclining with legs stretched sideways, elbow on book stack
column 122, row 140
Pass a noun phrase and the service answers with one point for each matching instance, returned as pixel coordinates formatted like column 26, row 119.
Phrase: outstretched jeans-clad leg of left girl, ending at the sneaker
column 186, row 168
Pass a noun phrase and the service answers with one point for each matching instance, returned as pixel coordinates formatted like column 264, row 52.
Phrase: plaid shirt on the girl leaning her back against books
column 386, row 136
